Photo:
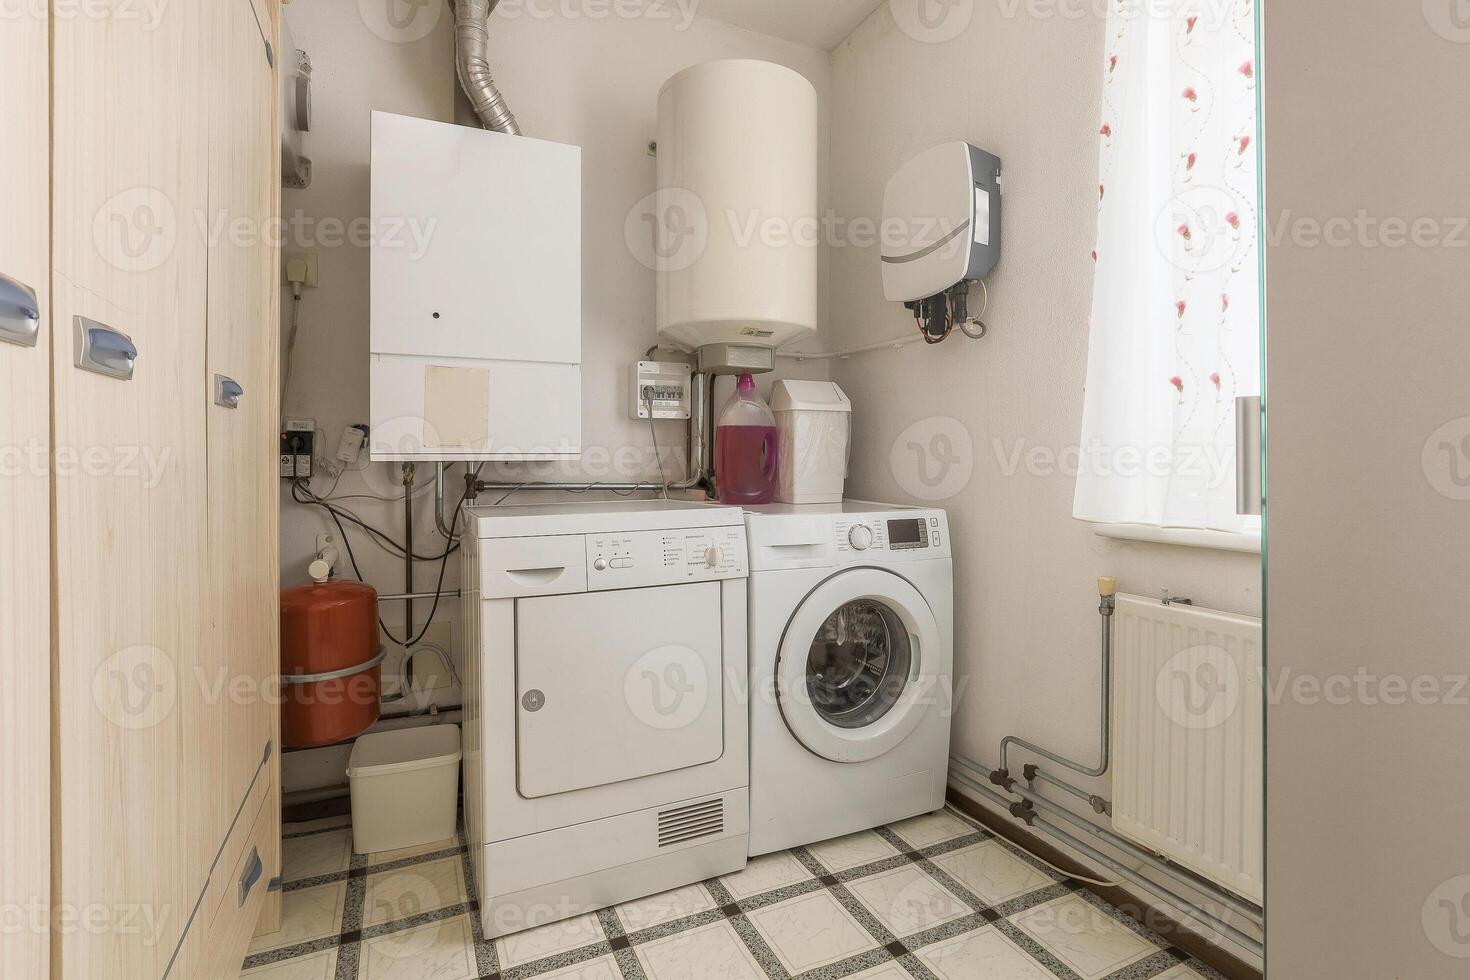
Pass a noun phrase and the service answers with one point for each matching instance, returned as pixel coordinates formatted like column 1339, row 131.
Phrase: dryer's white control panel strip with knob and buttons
column 642, row 559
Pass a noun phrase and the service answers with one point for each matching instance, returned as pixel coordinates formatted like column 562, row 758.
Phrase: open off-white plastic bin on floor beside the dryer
column 405, row 788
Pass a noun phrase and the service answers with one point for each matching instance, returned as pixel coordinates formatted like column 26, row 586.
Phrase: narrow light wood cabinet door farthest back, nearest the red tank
column 243, row 440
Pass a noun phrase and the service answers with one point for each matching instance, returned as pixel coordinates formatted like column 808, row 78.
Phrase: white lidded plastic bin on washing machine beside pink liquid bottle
column 815, row 437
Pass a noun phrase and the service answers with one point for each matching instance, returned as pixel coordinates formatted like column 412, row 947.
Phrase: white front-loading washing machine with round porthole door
column 852, row 638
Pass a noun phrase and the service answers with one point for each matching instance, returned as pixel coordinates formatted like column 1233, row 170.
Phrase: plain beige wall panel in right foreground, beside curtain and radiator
column 1369, row 818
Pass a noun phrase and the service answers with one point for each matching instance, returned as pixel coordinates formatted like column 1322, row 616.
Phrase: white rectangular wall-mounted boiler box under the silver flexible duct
column 477, row 295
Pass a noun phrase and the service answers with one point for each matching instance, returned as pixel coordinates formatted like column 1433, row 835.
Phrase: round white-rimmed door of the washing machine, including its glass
column 859, row 666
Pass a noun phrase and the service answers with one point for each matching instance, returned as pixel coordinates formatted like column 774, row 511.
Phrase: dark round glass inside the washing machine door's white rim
column 859, row 665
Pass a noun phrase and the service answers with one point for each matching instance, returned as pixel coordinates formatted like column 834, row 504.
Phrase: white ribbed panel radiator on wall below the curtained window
column 1188, row 738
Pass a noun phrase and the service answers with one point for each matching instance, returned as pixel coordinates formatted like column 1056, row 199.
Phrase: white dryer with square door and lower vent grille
column 606, row 750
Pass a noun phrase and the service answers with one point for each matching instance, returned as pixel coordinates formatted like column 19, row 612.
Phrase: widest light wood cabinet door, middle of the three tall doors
column 132, row 481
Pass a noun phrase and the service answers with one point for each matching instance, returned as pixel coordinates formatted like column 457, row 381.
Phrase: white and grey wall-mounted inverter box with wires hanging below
column 947, row 203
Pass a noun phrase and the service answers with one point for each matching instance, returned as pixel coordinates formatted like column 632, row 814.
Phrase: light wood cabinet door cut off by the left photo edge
column 26, row 541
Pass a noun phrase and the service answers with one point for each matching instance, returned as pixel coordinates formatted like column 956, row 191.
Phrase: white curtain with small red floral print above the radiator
column 1175, row 330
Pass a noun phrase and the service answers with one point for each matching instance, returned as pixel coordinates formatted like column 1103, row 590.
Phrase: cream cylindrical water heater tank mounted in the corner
column 736, row 224
